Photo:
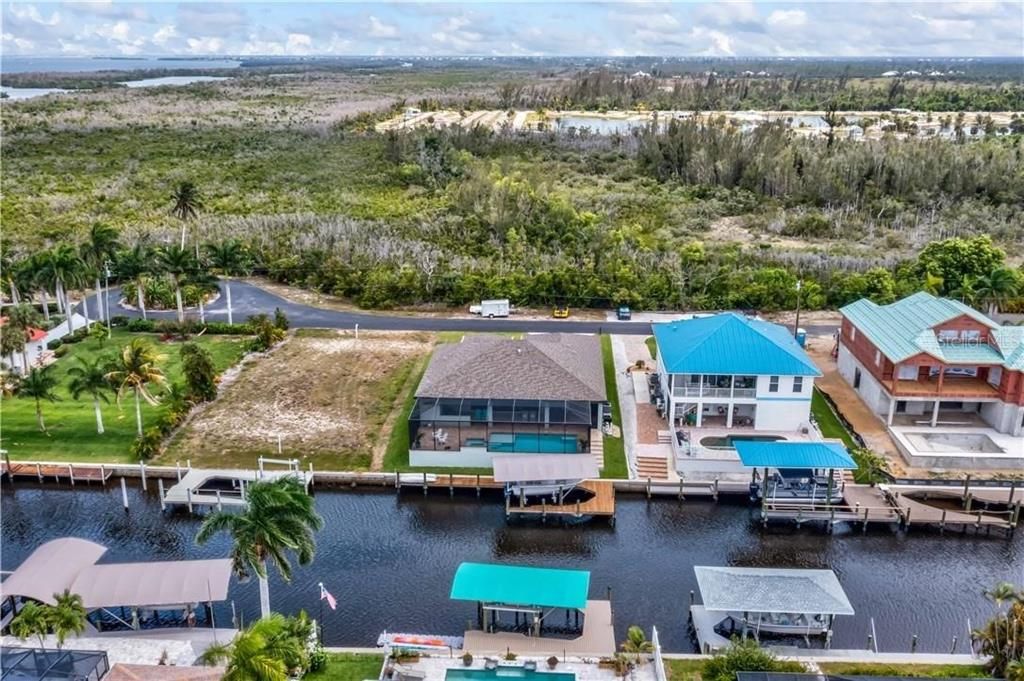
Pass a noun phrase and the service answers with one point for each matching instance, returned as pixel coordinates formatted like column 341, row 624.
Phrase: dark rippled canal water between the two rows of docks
column 390, row 560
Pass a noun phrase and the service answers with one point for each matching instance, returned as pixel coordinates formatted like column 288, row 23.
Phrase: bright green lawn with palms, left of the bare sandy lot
column 71, row 424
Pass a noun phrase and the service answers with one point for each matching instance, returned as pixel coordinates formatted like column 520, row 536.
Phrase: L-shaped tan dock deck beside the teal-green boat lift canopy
column 599, row 639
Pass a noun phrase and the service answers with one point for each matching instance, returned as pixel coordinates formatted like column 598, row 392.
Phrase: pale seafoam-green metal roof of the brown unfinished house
column 906, row 328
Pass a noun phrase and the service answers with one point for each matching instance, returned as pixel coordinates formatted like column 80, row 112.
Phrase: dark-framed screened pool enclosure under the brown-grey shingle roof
column 503, row 427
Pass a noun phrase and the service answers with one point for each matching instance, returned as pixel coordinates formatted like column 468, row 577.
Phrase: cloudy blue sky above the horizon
column 720, row 29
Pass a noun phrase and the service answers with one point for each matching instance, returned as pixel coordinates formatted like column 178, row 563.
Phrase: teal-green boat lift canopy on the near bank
column 522, row 586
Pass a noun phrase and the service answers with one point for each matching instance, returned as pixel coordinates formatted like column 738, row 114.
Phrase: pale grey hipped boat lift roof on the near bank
column 770, row 590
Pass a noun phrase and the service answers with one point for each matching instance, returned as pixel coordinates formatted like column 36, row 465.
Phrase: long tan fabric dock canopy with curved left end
column 71, row 564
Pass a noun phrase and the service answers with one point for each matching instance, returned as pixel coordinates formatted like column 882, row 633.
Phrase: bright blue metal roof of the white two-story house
column 731, row 344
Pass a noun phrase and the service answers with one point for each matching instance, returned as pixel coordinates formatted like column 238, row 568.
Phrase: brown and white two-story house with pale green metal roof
column 932, row 361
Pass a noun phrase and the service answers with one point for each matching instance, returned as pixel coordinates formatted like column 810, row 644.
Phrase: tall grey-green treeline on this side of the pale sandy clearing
column 773, row 162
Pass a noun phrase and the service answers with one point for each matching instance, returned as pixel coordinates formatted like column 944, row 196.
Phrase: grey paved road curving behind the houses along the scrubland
column 249, row 300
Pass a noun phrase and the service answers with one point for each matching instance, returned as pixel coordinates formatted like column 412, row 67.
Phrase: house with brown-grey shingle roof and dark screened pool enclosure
column 492, row 396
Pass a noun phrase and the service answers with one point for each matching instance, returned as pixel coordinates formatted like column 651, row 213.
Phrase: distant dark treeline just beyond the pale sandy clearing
column 607, row 90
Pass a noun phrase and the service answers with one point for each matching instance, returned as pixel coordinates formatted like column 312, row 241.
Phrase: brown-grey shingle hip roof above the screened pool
column 538, row 367
